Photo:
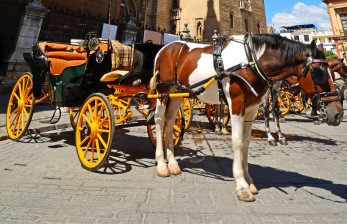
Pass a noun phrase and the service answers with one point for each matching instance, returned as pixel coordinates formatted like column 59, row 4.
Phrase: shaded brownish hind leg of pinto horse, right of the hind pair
column 170, row 117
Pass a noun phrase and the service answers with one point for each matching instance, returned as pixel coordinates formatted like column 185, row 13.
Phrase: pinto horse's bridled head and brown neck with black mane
column 280, row 58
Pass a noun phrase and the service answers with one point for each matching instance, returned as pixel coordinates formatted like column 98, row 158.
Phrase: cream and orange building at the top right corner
column 337, row 10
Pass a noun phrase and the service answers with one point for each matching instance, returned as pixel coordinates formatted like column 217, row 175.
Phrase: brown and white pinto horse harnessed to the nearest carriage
column 188, row 64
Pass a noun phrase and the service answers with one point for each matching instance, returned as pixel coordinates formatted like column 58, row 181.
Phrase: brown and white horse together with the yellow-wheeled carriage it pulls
column 86, row 80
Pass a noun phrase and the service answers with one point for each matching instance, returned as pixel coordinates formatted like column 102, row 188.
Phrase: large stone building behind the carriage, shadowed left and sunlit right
column 63, row 20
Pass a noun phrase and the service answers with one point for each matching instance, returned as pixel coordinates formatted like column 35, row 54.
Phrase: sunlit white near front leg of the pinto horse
column 240, row 157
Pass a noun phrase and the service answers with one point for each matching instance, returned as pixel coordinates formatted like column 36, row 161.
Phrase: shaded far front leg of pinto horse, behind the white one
column 247, row 131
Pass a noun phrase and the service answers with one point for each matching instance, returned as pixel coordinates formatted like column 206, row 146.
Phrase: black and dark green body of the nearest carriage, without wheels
column 74, row 84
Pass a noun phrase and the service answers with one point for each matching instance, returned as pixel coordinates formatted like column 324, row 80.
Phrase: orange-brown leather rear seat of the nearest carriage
column 62, row 56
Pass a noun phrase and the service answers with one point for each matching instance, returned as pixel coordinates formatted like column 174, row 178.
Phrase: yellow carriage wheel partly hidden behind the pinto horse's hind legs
column 178, row 130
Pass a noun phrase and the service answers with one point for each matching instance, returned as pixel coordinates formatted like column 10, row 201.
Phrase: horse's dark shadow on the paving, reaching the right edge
column 264, row 177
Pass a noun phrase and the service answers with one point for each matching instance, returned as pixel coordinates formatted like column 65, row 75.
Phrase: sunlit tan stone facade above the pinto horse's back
column 231, row 17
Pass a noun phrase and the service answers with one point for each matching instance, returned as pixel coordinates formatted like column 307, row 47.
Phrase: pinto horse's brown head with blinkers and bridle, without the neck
column 316, row 81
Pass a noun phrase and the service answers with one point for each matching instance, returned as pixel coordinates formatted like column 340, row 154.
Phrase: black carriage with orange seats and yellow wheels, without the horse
column 100, row 95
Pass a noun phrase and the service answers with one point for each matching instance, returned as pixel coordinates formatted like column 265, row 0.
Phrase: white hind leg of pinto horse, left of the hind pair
column 159, row 118
